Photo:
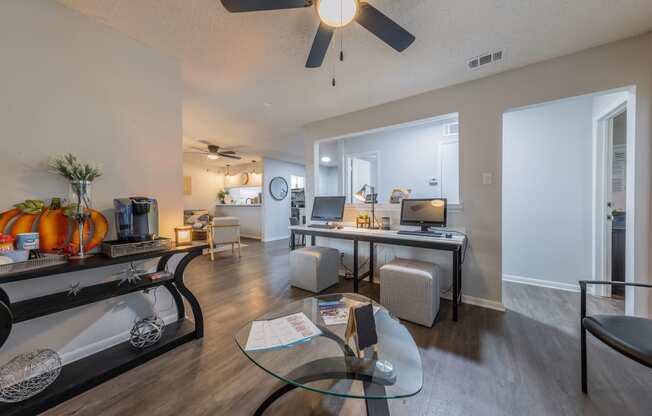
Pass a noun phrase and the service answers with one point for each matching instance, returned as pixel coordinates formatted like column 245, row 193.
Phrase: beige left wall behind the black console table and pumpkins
column 70, row 84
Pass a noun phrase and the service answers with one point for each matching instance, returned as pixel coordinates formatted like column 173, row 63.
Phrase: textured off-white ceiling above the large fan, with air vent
column 235, row 63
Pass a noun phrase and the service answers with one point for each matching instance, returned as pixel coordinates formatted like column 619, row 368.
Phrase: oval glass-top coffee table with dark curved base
column 325, row 364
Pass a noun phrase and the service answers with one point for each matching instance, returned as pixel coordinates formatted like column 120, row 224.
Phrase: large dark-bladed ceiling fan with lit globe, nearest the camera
column 333, row 14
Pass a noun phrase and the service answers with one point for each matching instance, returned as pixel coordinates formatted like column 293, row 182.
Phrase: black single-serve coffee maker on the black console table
column 136, row 219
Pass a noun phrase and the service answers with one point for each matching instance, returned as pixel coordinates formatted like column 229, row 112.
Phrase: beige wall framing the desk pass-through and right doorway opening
column 480, row 105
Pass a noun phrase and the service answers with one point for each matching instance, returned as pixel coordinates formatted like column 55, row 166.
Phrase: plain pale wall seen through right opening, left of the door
column 547, row 193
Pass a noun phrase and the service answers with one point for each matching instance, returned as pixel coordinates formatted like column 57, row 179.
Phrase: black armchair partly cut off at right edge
column 629, row 335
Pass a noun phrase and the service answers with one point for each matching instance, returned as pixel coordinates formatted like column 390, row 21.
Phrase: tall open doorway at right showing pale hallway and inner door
column 567, row 189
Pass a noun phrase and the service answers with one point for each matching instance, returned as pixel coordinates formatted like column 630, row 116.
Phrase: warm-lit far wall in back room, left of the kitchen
column 206, row 182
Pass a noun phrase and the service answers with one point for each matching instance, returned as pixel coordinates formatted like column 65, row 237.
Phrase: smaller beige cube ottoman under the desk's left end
column 314, row 268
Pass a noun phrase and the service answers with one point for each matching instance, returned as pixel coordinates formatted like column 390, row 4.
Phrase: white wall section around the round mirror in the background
column 276, row 214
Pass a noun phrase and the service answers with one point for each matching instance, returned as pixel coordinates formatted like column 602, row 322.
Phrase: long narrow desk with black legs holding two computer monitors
column 454, row 245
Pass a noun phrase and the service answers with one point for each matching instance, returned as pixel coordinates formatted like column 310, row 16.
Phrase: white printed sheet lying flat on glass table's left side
column 280, row 332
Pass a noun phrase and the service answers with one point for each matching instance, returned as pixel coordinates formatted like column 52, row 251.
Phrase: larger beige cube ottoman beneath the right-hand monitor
column 410, row 290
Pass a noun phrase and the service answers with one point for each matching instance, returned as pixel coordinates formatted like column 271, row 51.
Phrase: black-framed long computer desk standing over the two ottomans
column 455, row 249
